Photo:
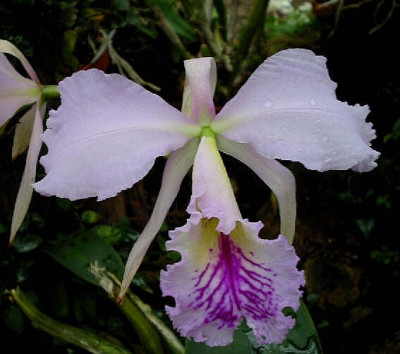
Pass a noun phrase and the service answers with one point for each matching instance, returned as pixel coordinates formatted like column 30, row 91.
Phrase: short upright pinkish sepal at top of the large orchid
column 200, row 81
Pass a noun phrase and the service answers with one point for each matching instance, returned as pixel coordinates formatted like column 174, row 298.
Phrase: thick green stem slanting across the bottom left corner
column 87, row 340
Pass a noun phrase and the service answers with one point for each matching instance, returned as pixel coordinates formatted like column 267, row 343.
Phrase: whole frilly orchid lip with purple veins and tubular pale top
column 227, row 273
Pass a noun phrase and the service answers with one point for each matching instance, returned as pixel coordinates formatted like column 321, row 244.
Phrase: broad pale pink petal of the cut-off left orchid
column 16, row 91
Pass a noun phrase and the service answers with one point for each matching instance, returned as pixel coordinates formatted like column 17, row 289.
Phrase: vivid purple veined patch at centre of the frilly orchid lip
column 234, row 286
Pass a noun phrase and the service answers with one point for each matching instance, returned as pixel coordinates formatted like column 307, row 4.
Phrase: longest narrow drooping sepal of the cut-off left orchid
column 25, row 191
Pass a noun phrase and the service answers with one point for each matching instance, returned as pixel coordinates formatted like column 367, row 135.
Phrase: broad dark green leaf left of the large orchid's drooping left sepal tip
column 77, row 251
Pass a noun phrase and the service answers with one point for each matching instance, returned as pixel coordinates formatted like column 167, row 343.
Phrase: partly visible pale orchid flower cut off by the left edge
column 17, row 91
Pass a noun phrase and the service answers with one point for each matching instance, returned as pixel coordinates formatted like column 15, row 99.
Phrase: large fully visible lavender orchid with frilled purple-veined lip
column 108, row 132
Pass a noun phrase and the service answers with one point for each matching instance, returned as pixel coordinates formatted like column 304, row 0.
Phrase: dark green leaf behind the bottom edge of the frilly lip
column 302, row 339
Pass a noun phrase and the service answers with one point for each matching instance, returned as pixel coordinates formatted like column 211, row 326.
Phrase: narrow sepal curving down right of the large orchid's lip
column 274, row 175
